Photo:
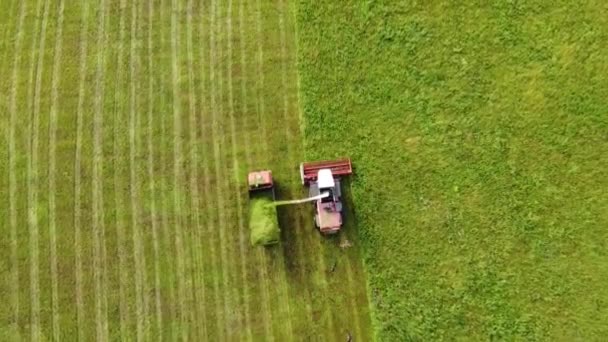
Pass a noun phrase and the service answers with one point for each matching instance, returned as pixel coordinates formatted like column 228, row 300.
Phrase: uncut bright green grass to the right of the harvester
column 478, row 133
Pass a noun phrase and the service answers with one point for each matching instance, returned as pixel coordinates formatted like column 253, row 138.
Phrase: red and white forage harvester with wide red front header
column 324, row 177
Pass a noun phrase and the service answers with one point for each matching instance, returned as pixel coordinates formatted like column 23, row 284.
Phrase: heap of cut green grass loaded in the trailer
column 263, row 222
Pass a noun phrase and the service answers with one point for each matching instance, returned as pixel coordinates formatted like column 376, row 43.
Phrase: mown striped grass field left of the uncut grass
column 128, row 128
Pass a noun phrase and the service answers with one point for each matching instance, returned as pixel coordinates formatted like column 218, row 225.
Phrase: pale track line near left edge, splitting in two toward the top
column 33, row 178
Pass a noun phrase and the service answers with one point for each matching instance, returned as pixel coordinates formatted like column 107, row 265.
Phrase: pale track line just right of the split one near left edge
column 52, row 170
